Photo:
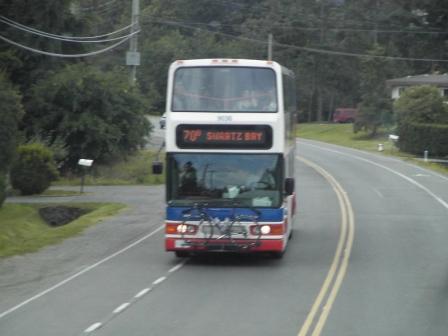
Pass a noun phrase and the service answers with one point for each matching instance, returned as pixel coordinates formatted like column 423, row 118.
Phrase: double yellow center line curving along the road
column 338, row 268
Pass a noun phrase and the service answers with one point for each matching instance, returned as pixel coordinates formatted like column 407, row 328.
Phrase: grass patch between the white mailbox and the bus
column 134, row 170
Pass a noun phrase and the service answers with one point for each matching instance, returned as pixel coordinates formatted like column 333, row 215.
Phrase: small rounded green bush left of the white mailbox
column 33, row 170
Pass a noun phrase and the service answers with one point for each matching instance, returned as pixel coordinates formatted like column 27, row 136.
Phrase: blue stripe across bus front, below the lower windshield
column 265, row 214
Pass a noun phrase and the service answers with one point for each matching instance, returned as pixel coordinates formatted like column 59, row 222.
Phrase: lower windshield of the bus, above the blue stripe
column 225, row 180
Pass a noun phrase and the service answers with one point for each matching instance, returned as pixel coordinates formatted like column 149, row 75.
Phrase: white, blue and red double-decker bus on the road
column 229, row 156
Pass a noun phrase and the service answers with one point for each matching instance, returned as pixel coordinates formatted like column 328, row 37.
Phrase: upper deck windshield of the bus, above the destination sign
column 224, row 89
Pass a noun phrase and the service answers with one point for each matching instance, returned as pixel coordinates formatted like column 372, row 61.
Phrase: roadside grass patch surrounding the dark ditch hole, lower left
column 22, row 230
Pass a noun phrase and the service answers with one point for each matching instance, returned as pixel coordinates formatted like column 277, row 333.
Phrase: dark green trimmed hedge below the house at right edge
column 415, row 138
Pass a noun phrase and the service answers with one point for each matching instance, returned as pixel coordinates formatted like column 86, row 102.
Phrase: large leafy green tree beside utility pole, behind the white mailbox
column 97, row 114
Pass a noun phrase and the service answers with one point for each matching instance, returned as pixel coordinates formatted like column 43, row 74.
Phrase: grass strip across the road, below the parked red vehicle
column 342, row 134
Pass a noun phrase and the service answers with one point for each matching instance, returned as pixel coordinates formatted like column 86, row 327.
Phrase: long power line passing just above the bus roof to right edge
column 306, row 49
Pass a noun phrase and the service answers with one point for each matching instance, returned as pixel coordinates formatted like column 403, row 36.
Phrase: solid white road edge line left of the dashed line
column 74, row 276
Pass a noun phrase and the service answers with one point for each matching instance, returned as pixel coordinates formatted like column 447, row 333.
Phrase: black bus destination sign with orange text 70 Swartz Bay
column 224, row 136
